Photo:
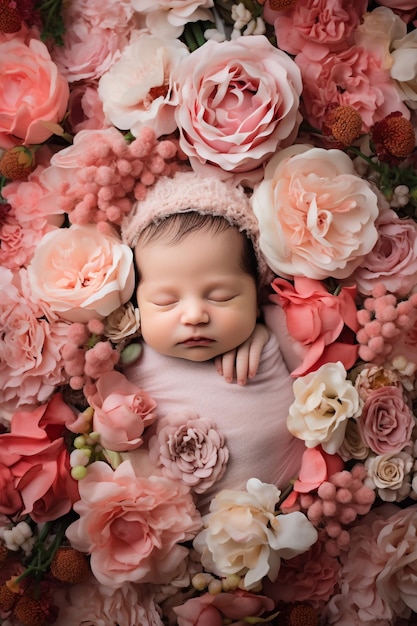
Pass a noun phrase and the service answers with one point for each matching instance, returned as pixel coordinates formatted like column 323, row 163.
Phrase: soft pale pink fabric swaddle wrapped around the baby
column 252, row 418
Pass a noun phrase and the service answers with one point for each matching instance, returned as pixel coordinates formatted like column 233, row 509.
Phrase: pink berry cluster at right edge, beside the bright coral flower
column 383, row 320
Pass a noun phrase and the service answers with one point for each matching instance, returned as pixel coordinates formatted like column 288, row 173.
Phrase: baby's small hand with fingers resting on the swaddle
column 244, row 359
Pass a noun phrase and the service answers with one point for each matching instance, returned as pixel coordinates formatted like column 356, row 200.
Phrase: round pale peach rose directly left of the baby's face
column 82, row 273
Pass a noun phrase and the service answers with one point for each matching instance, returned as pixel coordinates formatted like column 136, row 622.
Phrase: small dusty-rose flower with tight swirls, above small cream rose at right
column 386, row 421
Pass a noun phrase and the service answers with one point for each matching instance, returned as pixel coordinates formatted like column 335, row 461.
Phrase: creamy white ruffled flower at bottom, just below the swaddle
column 236, row 516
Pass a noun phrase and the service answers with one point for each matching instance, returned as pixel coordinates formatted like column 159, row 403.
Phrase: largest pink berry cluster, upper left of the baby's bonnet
column 114, row 174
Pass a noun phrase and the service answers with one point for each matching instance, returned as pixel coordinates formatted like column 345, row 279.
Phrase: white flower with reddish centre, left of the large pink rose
column 138, row 89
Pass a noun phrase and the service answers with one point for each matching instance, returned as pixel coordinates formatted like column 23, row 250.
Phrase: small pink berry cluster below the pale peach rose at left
column 88, row 355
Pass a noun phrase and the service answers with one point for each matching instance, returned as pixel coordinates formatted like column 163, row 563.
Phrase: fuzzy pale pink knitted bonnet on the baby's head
column 187, row 191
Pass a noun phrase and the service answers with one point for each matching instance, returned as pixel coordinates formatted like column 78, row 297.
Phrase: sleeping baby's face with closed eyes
column 194, row 298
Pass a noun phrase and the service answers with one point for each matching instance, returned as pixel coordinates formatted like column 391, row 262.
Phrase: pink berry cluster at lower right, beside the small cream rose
column 336, row 504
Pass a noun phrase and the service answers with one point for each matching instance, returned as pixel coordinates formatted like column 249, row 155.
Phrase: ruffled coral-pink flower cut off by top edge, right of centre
column 315, row 27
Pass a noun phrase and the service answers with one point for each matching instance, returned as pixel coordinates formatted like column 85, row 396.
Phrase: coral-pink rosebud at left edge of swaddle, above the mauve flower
column 122, row 411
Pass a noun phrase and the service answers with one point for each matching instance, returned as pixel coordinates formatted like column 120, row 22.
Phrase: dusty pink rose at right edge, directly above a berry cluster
column 393, row 259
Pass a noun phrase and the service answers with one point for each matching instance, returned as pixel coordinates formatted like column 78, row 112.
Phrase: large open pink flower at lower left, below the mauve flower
column 132, row 526
